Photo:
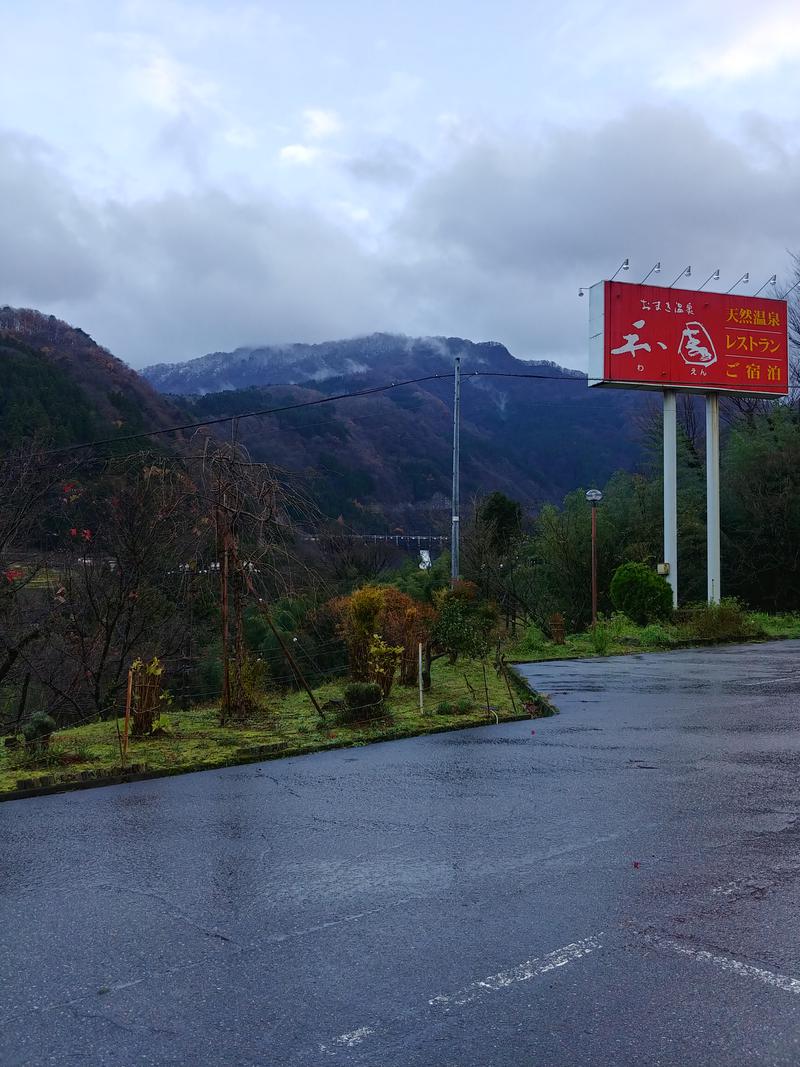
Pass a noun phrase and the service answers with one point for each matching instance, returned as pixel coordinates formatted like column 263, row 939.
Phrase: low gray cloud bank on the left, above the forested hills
column 174, row 277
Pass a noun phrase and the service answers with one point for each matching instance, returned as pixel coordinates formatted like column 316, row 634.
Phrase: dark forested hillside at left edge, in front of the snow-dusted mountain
column 60, row 387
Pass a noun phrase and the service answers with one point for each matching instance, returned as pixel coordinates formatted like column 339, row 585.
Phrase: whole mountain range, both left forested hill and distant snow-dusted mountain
column 380, row 463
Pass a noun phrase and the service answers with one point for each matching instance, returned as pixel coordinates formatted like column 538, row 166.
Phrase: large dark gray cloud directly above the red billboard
column 658, row 180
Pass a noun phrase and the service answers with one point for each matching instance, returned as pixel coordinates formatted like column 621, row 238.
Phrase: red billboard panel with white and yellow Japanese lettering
column 653, row 338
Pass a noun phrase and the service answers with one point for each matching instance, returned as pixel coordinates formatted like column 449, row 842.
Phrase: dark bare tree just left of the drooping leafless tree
column 114, row 594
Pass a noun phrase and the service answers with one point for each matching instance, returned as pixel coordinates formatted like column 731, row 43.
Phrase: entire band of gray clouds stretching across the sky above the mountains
column 492, row 247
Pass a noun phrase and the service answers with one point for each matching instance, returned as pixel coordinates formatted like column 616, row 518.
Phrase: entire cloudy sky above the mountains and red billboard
column 181, row 178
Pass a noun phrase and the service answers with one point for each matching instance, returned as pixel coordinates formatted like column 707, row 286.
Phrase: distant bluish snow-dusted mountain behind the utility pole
column 387, row 458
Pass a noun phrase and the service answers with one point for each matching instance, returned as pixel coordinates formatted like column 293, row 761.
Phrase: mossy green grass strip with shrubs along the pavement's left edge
column 289, row 726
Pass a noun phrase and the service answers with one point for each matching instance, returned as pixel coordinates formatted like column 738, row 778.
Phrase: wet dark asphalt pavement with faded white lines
column 620, row 887
